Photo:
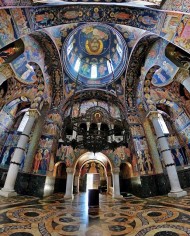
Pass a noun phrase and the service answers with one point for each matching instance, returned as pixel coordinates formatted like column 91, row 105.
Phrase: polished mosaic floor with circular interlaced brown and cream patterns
column 158, row 216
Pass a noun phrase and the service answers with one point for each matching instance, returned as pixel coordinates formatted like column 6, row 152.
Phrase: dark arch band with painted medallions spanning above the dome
column 147, row 19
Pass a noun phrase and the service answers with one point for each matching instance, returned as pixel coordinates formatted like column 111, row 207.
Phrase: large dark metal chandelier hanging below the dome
column 89, row 131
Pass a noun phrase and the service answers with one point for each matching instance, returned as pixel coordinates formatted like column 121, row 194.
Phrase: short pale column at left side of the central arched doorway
column 69, row 184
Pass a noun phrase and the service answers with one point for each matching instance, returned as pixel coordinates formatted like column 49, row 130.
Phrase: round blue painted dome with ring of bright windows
column 94, row 54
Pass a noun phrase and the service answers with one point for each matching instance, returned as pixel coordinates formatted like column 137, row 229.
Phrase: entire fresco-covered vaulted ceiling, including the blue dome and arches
column 119, row 57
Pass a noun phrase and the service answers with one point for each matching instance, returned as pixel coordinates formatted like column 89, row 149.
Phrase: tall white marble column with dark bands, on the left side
column 8, row 189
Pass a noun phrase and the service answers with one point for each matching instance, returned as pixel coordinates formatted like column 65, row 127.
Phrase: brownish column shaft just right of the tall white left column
column 28, row 164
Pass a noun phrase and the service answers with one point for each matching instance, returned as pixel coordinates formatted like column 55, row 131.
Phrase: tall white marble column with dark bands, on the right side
column 176, row 190
